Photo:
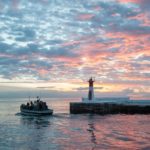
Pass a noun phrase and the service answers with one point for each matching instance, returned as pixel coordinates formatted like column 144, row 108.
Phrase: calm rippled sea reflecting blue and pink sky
column 71, row 132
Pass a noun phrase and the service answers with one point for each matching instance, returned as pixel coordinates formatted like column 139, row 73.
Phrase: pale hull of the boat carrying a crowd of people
column 36, row 113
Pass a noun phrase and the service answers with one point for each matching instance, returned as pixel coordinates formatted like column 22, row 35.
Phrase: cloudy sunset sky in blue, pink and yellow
column 54, row 46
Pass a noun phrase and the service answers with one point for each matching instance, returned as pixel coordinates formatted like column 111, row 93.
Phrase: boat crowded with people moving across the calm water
column 38, row 108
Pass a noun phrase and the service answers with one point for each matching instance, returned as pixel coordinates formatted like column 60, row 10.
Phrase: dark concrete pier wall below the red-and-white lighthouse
column 108, row 108
